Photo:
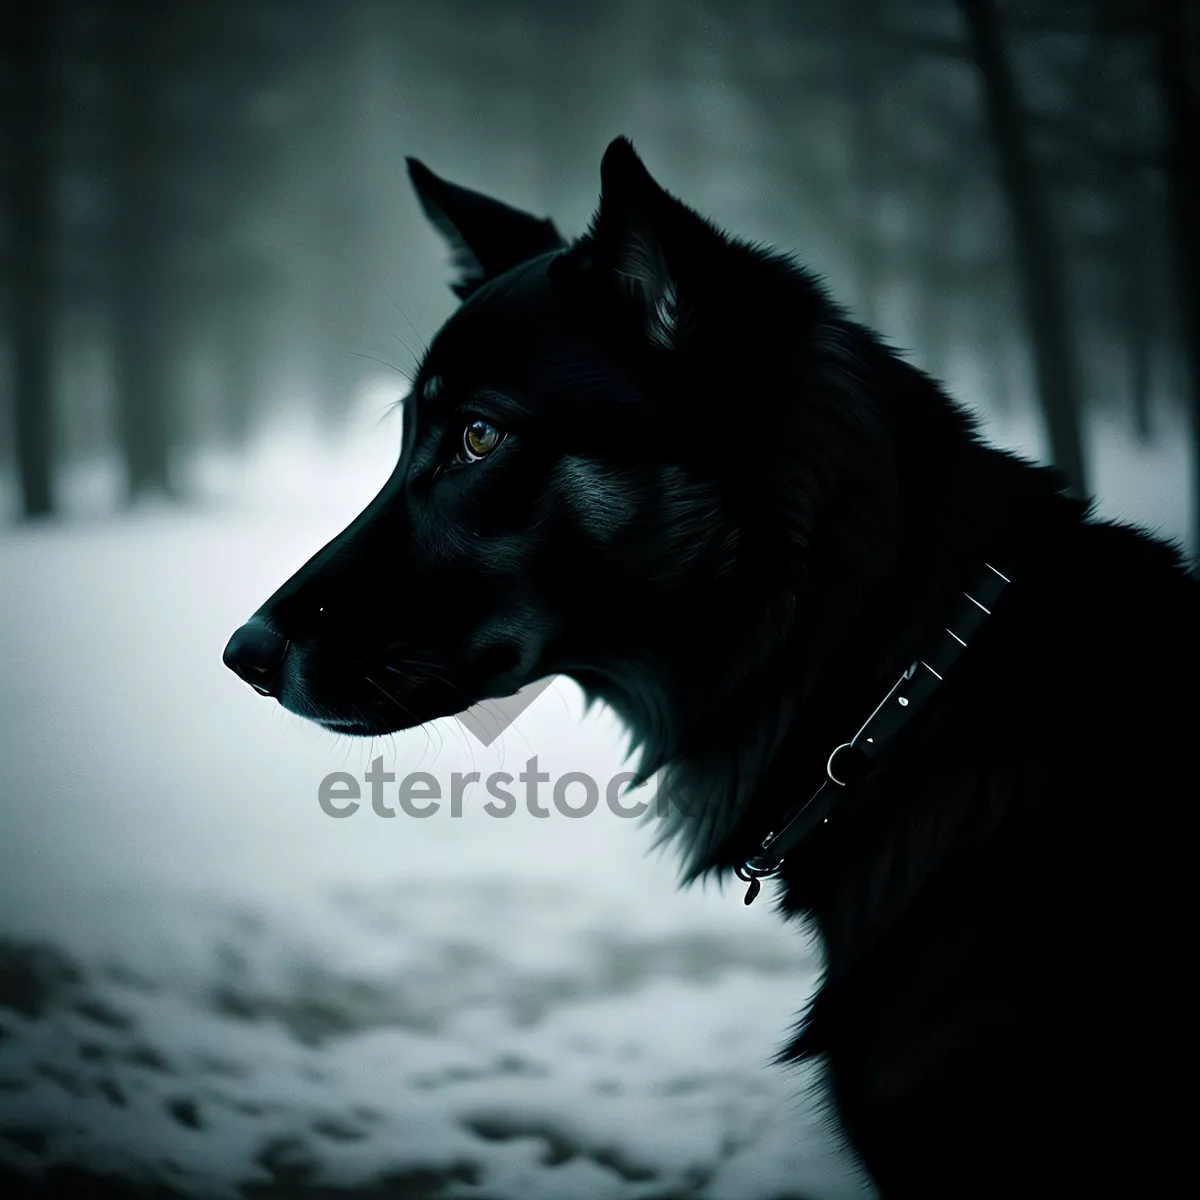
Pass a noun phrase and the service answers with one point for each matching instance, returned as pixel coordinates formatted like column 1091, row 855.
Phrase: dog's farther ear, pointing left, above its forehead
column 487, row 237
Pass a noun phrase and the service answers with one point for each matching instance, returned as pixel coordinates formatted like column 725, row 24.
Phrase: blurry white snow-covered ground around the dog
column 211, row 988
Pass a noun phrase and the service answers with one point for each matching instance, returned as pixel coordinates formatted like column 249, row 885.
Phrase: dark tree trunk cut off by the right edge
column 1177, row 69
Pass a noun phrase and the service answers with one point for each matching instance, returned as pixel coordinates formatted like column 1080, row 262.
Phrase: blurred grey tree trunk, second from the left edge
column 142, row 291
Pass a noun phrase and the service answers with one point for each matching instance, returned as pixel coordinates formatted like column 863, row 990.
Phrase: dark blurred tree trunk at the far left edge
column 31, row 121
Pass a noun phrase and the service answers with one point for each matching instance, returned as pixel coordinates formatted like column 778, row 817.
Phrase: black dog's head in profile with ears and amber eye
column 604, row 472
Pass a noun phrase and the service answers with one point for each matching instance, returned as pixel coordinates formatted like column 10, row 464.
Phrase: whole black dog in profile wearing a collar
column 663, row 463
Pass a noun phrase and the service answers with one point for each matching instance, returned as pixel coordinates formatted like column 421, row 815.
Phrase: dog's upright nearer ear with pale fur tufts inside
column 629, row 227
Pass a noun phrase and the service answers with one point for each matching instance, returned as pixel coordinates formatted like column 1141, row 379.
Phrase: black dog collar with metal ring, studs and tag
column 854, row 760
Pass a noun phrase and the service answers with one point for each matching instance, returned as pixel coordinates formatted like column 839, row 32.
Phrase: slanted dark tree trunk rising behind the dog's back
column 1039, row 257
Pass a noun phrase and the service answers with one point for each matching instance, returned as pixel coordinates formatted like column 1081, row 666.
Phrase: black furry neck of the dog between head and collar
column 735, row 754
